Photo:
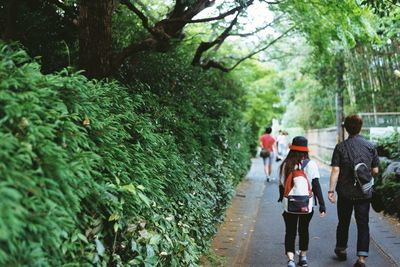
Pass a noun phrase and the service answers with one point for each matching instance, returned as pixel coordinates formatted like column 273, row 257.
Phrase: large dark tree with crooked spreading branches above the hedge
column 93, row 21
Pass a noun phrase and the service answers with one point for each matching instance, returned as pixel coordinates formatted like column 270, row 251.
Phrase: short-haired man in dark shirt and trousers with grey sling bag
column 350, row 196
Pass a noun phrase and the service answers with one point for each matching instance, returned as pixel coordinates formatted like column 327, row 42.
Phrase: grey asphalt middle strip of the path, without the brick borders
column 266, row 243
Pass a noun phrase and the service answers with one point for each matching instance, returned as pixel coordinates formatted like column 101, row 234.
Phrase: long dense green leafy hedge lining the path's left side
column 96, row 173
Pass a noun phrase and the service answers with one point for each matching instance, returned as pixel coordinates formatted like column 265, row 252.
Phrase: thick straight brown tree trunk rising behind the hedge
column 95, row 45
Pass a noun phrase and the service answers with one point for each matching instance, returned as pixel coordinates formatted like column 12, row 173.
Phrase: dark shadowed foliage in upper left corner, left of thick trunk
column 50, row 36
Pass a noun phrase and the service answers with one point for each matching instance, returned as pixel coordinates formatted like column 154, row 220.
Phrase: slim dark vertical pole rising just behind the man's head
column 340, row 85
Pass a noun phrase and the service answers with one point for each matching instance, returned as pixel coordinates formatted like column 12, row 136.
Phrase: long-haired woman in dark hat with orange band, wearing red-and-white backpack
column 296, row 160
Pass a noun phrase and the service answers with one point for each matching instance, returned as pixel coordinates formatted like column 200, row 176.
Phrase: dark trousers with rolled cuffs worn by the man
column 361, row 212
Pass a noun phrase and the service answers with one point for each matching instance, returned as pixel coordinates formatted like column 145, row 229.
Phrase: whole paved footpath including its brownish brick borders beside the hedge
column 253, row 231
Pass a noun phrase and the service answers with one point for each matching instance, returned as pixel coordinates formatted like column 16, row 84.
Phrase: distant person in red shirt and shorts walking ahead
column 267, row 144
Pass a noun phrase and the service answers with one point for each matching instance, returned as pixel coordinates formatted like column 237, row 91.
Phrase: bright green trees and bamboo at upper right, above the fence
column 369, row 46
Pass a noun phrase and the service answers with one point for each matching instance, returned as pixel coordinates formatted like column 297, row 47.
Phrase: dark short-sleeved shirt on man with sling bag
column 362, row 151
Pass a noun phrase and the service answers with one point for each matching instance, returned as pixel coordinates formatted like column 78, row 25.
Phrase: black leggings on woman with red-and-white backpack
column 291, row 222
